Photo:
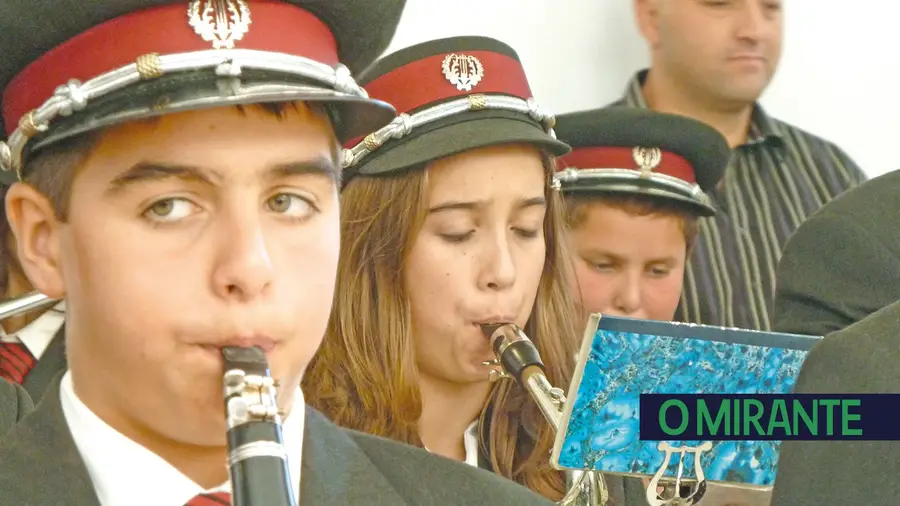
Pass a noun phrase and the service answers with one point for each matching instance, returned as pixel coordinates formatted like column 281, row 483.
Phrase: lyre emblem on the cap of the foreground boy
column 222, row 22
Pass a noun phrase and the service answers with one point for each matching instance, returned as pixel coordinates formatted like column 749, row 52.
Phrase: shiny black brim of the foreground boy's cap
column 351, row 115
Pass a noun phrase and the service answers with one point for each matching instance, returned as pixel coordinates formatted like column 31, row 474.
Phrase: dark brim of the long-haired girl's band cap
column 458, row 134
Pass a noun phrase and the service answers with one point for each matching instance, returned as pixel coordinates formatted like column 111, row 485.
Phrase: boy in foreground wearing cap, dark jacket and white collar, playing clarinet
column 181, row 193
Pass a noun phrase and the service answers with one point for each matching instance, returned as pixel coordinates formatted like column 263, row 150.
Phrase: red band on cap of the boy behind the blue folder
column 671, row 164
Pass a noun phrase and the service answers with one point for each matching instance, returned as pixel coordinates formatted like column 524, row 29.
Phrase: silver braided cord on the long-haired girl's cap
column 404, row 124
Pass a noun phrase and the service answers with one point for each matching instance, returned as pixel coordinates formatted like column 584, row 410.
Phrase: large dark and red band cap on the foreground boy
column 72, row 66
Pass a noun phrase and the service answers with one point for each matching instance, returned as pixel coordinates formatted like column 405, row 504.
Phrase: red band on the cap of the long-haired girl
column 422, row 82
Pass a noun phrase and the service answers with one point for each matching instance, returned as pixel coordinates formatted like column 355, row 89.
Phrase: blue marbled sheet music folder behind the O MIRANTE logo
column 622, row 358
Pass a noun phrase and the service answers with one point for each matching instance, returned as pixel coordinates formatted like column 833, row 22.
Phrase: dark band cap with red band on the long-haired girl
column 454, row 95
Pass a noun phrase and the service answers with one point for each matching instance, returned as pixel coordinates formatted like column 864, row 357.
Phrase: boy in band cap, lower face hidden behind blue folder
column 634, row 186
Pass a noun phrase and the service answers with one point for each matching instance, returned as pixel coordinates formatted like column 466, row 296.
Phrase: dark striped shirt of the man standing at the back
column 774, row 181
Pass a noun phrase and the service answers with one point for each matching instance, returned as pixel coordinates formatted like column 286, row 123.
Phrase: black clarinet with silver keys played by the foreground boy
column 257, row 459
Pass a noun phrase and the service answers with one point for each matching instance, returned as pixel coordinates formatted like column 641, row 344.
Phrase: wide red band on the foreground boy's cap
column 275, row 26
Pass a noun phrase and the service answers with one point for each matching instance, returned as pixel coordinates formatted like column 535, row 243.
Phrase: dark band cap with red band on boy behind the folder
column 629, row 150
